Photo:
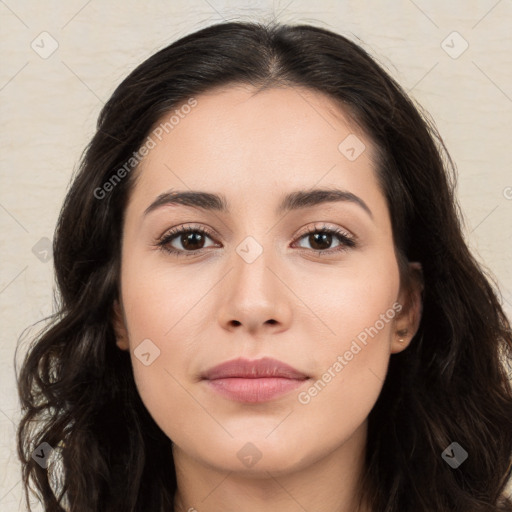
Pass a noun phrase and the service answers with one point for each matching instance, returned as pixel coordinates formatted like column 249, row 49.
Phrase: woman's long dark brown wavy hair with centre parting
column 77, row 388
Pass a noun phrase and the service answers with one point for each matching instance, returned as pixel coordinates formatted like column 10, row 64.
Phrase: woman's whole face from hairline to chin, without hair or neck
column 264, row 281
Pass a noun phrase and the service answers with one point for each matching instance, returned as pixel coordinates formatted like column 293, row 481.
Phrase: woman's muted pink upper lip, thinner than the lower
column 258, row 368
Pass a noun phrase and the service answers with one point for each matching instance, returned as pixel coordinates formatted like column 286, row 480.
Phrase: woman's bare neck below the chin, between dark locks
column 330, row 484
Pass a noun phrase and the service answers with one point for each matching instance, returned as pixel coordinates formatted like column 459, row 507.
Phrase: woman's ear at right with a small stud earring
column 410, row 298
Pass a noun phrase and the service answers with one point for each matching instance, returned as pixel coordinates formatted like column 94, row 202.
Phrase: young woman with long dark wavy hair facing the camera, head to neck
column 266, row 299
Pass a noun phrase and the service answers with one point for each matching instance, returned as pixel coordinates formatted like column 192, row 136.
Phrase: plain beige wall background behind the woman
column 49, row 106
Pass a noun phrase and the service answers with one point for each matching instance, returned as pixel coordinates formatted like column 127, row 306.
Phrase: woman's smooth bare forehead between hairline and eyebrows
column 242, row 141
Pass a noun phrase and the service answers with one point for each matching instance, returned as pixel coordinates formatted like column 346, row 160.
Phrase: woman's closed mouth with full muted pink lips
column 254, row 381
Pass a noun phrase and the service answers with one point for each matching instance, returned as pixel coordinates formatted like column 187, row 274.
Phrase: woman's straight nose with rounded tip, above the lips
column 254, row 296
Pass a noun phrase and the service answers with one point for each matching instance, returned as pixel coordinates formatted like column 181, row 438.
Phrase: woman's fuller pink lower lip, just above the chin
column 254, row 390
